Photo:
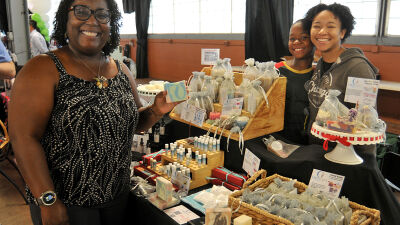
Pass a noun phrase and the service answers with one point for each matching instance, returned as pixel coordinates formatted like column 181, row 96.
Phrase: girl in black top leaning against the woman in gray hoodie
column 298, row 71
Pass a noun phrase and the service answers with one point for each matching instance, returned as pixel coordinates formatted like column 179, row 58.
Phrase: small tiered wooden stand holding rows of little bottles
column 199, row 172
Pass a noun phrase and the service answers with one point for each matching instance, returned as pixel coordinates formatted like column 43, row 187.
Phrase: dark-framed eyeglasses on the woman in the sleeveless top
column 83, row 13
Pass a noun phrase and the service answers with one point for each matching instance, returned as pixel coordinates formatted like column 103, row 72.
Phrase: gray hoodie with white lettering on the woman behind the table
column 351, row 63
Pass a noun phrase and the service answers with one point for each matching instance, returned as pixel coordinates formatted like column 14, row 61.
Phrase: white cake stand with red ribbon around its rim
column 344, row 152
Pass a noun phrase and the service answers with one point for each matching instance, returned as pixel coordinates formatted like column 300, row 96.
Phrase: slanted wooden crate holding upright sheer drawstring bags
column 266, row 119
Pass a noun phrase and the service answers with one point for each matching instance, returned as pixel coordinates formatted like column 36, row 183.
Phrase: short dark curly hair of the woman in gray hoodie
column 342, row 12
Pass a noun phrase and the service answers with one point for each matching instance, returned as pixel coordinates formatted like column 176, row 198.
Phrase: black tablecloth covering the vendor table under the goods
column 363, row 183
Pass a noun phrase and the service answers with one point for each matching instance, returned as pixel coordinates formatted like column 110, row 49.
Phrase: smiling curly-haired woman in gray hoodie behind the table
column 330, row 26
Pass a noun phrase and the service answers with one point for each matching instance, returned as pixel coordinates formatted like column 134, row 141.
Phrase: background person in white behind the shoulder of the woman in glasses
column 38, row 43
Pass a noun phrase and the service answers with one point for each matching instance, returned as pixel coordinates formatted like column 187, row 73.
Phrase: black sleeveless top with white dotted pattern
column 88, row 138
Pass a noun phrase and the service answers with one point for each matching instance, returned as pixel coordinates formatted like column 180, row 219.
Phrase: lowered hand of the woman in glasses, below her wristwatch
column 55, row 214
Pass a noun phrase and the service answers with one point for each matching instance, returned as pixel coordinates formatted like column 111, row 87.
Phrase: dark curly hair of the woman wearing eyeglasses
column 61, row 19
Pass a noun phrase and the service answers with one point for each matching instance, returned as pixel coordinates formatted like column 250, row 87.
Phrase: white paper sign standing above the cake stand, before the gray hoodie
column 361, row 90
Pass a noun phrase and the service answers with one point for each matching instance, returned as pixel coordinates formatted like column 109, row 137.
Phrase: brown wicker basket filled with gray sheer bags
column 263, row 217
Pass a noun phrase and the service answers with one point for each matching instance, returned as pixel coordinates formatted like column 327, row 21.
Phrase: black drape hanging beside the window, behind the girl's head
column 267, row 29
